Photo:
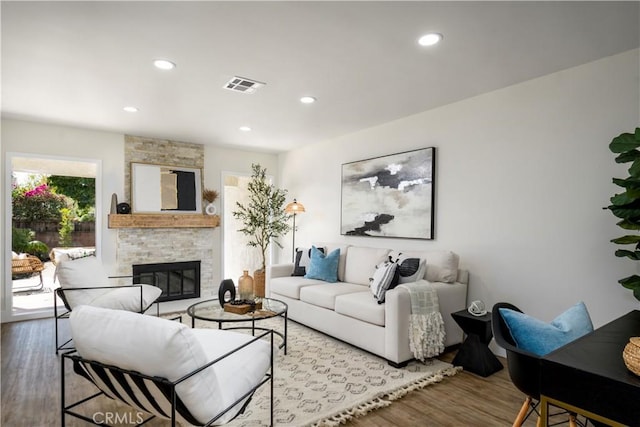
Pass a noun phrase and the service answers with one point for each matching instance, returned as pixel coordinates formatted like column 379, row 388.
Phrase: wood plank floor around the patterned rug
column 31, row 390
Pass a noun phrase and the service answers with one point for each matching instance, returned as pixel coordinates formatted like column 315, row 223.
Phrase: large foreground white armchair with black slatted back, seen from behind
column 166, row 369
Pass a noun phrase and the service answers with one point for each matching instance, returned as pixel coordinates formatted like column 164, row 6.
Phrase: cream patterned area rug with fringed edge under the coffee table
column 325, row 382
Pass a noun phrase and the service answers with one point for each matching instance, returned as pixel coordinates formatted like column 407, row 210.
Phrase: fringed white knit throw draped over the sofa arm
column 426, row 327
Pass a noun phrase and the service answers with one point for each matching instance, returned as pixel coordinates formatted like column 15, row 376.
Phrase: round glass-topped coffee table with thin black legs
column 211, row 311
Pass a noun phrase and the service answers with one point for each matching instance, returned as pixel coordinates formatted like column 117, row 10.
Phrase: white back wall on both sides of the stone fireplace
column 61, row 141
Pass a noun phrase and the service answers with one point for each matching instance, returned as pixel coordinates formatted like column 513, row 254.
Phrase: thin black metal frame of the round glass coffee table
column 247, row 317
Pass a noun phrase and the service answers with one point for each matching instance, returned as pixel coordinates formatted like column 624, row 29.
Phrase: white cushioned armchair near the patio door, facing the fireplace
column 83, row 281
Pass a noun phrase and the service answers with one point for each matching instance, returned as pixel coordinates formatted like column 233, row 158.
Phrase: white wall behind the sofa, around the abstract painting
column 522, row 175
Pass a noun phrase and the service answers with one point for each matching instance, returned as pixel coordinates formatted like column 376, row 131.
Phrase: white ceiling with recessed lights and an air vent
column 80, row 63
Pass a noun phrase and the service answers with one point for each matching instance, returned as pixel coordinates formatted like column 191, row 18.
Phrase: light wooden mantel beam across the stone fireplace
column 163, row 221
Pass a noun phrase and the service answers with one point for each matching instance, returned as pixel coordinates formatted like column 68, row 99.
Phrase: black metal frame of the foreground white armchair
column 168, row 388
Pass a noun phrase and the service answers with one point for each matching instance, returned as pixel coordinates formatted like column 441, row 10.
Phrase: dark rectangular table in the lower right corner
column 588, row 376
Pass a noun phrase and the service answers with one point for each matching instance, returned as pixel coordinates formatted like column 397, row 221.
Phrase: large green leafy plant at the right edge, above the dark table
column 625, row 205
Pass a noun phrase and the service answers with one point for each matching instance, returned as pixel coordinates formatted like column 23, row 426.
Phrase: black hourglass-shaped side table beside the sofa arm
column 474, row 354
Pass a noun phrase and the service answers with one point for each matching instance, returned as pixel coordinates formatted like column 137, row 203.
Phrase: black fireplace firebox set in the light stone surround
column 177, row 280
